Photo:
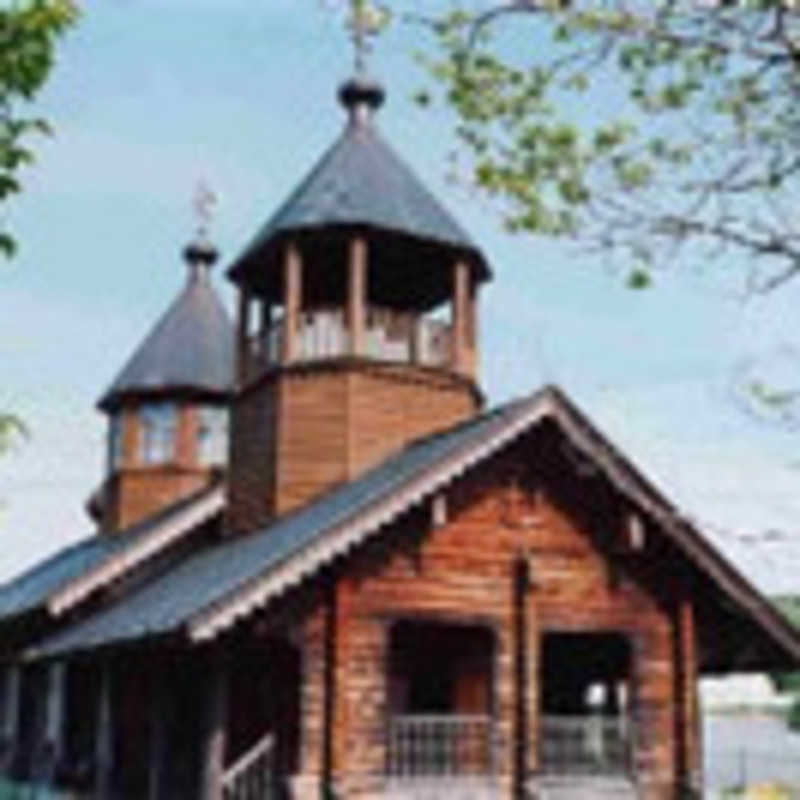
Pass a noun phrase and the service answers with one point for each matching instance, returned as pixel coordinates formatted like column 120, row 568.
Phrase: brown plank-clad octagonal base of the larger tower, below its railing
column 302, row 431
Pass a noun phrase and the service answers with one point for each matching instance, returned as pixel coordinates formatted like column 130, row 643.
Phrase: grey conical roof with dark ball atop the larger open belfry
column 361, row 182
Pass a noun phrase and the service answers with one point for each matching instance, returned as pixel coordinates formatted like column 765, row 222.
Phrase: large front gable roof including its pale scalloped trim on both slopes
column 211, row 590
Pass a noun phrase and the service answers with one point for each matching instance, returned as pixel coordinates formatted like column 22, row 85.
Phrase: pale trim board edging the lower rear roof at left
column 176, row 524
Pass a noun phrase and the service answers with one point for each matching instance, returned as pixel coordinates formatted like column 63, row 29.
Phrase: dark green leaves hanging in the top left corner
column 28, row 33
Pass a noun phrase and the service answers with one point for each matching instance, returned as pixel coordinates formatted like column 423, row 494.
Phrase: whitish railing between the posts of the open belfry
column 389, row 335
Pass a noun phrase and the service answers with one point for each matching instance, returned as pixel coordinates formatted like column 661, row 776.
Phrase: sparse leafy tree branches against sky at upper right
column 633, row 125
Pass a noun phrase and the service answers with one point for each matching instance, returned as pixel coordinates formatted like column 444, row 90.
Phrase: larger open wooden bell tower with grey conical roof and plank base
column 357, row 324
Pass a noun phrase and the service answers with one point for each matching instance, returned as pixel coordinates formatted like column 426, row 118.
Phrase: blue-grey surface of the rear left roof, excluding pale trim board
column 33, row 588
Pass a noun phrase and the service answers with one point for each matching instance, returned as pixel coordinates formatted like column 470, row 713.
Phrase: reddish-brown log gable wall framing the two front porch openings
column 463, row 573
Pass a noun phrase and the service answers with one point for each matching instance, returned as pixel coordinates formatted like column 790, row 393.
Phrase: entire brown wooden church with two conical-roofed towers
column 377, row 588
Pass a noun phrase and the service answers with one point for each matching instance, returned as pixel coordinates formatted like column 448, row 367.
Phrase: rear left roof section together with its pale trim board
column 63, row 580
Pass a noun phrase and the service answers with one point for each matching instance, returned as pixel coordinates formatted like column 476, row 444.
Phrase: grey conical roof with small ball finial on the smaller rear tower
column 191, row 348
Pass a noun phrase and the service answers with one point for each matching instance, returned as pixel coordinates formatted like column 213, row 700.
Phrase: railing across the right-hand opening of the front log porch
column 586, row 745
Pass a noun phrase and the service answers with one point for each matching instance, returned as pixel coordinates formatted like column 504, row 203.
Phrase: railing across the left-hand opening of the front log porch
column 439, row 745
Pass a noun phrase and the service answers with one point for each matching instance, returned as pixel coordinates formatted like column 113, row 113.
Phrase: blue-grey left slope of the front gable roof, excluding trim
column 170, row 601
